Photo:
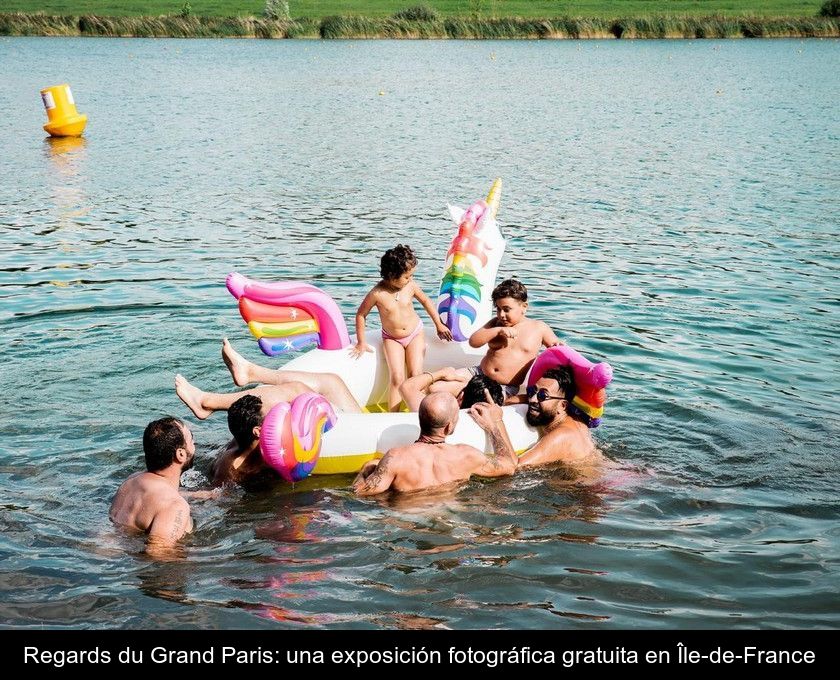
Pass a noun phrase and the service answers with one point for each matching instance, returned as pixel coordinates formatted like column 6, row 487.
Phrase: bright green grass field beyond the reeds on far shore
column 383, row 8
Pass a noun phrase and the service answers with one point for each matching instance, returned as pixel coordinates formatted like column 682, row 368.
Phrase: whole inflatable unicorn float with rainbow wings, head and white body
column 308, row 437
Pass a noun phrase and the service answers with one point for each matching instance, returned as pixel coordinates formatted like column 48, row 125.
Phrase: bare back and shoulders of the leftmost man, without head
column 149, row 503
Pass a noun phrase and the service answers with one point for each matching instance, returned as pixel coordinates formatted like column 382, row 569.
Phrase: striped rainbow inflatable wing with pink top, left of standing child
column 289, row 316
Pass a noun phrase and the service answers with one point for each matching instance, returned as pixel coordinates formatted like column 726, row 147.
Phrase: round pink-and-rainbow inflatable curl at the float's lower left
column 290, row 436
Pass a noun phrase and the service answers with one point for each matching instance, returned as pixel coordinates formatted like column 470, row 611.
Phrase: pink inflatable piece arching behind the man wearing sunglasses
column 591, row 380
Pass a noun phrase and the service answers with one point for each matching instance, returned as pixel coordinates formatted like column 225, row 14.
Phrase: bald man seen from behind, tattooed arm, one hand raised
column 430, row 461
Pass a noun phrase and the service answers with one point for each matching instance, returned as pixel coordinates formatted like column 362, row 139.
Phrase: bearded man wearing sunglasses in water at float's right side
column 563, row 438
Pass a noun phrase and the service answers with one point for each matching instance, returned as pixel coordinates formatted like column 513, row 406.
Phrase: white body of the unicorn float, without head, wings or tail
column 359, row 437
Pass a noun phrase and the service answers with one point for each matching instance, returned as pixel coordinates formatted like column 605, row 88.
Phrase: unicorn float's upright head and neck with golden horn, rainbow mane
column 472, row 261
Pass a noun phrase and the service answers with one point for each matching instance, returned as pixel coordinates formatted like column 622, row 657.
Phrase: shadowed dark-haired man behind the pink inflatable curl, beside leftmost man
column 242, row 462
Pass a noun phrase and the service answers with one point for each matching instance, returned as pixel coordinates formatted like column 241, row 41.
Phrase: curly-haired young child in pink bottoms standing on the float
column 402, row 329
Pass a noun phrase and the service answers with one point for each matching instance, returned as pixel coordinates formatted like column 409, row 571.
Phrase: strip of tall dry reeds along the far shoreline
column 662, row 27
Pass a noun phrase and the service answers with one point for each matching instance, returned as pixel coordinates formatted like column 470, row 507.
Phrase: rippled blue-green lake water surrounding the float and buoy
column 672, row 206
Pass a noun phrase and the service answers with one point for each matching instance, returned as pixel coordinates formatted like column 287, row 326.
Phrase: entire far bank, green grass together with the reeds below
column 464, row 19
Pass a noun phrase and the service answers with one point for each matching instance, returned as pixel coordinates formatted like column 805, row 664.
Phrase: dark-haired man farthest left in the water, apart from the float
column 149, row 501
